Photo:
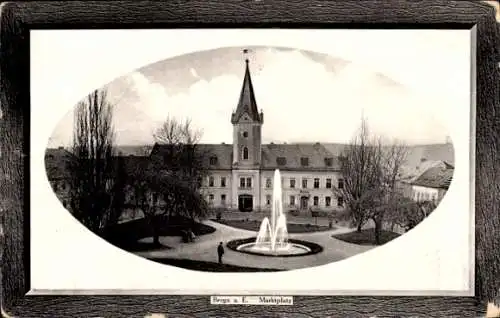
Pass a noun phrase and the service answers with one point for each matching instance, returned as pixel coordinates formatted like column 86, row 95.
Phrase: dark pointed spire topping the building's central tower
column 247, row 103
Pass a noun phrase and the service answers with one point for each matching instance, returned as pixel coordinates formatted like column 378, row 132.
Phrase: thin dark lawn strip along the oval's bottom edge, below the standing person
column 209, row 266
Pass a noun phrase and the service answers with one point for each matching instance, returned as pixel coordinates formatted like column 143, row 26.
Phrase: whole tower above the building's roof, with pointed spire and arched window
column 247, row 127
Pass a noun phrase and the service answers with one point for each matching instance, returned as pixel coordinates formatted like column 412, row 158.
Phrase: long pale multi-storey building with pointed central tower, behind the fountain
column 240, row 174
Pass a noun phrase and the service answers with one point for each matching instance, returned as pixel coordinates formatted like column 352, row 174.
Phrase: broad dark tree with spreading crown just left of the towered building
column 167, row 185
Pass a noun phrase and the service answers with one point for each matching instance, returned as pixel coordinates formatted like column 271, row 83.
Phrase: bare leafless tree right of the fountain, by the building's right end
column 370, row 167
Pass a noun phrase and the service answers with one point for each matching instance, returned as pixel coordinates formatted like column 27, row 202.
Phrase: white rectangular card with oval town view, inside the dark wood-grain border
column 273, row 162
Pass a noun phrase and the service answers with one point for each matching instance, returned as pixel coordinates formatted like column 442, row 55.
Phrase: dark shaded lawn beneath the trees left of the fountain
column 126, row 235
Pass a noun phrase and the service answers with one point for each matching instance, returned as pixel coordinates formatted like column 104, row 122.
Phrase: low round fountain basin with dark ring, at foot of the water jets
column 293, row 248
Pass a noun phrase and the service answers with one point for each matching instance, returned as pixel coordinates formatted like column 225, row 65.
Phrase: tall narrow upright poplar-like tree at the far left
column 91, row 165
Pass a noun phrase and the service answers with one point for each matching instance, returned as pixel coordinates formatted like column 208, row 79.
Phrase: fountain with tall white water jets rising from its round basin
column 272, row 238
